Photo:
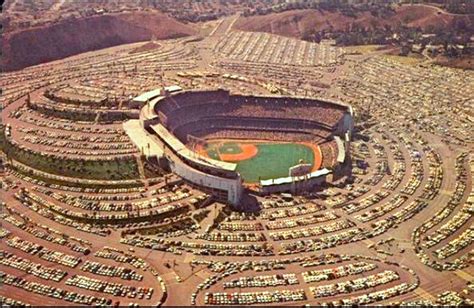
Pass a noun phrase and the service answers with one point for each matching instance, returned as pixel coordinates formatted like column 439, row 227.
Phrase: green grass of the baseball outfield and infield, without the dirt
column 272, row 161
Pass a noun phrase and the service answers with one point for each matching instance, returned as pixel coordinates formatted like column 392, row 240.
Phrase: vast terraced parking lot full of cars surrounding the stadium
column 87, row 219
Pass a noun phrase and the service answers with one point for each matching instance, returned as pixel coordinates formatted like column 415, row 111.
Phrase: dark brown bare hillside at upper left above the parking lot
column 69, row 37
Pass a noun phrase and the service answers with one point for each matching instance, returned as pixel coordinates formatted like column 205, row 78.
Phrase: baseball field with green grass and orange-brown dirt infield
column 262, row 160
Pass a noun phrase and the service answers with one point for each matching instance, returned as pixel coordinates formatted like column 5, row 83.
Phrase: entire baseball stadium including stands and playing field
column 227, row 143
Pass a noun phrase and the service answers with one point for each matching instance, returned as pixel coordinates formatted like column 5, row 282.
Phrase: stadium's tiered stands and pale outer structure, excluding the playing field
column 177, row 119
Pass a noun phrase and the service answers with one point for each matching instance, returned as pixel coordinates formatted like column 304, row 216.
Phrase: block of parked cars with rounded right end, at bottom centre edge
column 357, row 279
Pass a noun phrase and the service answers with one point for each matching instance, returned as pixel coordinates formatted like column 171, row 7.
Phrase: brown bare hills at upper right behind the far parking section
column 297, row 23
